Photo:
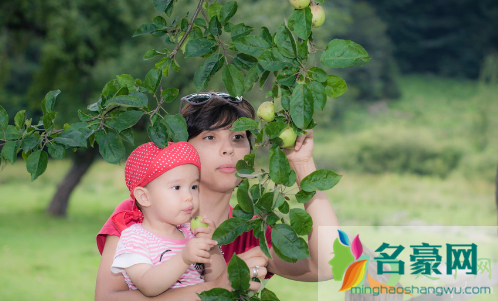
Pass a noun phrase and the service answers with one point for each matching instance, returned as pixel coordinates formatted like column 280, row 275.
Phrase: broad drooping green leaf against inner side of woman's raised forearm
column 290, row 245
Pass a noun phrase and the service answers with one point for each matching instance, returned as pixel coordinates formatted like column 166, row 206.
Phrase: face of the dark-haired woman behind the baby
column 219, row 151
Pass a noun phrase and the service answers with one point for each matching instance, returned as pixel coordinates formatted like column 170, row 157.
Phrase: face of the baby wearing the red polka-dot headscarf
column 174, row 195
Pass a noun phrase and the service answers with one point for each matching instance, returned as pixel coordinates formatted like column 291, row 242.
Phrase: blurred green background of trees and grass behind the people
column 414, row 137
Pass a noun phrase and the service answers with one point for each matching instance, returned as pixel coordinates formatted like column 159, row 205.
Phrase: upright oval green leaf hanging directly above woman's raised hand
column 301, row 106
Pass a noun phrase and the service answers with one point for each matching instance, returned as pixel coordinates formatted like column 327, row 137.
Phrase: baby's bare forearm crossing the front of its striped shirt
column 153, row 280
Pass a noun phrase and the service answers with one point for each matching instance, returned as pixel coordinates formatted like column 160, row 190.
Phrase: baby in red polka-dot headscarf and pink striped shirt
column 161, row 252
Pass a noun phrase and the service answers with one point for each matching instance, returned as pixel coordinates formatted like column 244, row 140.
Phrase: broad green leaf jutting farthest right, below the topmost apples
column 343, row 54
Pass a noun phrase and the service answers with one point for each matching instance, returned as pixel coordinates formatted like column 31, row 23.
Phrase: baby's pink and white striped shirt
column 137, row 245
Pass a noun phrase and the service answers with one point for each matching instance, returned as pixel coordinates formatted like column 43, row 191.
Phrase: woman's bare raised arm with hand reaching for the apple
column 320, row 240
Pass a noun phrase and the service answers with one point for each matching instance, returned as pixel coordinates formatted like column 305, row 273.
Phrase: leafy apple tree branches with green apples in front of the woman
column 245, row 57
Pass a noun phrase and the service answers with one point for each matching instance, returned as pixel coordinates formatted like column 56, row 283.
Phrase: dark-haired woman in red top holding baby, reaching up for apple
column 209, row 119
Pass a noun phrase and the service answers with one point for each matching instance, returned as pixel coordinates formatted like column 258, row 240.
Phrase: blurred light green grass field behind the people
column 46, row 258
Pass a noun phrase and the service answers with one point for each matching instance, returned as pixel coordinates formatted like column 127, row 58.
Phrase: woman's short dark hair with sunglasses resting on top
column 217, row 113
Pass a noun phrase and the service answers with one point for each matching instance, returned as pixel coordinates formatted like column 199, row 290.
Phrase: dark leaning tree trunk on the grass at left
column 81, row 163
